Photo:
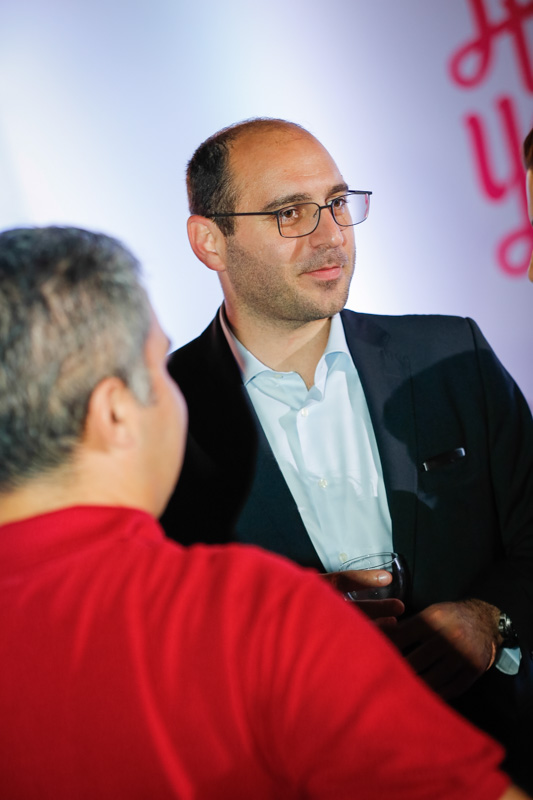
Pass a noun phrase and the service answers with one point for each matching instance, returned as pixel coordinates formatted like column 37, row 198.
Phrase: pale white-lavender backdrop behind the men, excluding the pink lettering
column 102, row 102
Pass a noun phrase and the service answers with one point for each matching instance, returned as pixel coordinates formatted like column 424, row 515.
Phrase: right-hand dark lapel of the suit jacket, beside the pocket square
column 382, row 372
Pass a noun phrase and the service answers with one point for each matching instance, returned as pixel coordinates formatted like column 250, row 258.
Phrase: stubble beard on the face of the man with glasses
column 258, row 288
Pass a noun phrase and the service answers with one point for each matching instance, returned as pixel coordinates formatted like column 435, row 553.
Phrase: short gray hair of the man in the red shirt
column 72, row 312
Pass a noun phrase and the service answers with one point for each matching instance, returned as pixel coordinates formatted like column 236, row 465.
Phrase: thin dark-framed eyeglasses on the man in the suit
column 301, row 219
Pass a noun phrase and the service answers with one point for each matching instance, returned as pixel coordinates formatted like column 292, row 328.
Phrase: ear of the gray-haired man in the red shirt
column 111, row 416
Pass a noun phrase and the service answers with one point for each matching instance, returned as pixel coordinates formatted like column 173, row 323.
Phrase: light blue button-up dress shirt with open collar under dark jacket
column 324, row 443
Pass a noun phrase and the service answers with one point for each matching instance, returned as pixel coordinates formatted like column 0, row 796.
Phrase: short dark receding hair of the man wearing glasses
column 210, row 184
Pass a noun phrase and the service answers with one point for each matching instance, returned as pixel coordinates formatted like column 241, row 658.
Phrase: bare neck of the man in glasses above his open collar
column 284, row 347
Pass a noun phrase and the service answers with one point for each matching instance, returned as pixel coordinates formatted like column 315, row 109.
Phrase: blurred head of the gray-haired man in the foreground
column 80, row 350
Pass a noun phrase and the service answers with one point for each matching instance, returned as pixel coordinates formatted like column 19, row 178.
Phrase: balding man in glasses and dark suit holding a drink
column 321, row 434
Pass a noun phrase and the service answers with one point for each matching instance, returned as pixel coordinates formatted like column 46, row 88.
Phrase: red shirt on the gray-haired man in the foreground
column 134, row 668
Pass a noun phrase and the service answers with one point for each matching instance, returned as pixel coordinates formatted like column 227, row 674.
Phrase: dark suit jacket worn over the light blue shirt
column 433, row 386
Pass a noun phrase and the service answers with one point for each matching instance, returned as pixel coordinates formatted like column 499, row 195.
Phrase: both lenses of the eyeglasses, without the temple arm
column 302, row 218
